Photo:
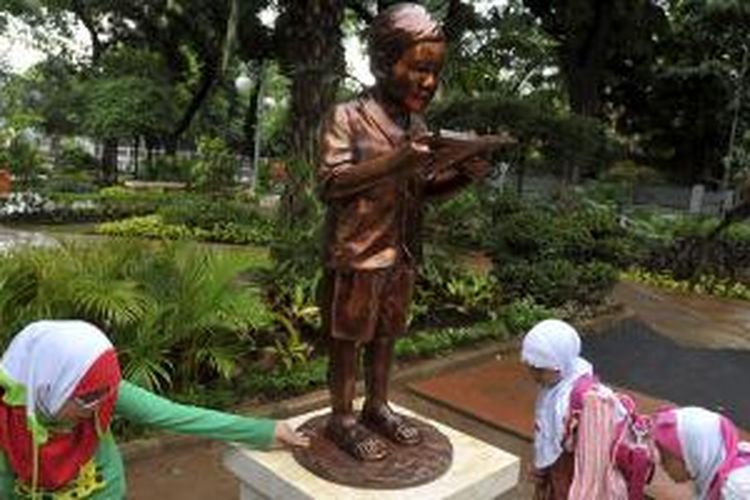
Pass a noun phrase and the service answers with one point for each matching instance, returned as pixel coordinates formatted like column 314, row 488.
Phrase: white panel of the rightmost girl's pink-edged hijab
column 699, row 433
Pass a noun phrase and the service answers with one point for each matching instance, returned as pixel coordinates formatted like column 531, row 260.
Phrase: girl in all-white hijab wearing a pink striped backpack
column 579, row 423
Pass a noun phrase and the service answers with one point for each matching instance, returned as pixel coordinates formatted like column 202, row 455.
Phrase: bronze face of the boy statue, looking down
column 415, row 75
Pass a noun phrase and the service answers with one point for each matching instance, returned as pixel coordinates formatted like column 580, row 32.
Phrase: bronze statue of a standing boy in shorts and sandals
column 378, row 164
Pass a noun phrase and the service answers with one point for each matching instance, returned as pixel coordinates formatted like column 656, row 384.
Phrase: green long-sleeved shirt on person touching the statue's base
column 107, row 474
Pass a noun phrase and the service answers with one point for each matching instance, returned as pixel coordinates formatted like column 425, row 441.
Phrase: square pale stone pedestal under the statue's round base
column 479, row 471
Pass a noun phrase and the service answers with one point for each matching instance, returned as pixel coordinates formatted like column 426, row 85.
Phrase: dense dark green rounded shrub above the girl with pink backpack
column 556, row 256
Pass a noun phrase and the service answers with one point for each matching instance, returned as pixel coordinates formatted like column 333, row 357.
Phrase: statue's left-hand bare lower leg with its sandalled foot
column 343, row 427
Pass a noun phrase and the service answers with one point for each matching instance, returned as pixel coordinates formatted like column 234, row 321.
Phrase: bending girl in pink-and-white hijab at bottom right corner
column 700, row 445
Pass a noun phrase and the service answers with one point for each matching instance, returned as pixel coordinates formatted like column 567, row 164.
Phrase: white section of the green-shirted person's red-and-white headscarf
column 49, row 358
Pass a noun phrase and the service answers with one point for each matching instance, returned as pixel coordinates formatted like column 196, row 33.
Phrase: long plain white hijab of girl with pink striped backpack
column 554, row 345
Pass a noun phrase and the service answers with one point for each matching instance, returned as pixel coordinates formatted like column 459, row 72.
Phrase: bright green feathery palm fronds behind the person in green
column 176, row 313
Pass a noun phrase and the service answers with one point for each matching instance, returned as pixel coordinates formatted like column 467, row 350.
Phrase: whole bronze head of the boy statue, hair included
column 406, row 47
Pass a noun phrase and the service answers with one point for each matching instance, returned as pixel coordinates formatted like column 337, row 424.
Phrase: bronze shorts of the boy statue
column 360, row 305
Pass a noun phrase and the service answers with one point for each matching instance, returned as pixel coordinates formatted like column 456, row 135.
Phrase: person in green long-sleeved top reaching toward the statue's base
column 60, row 385
